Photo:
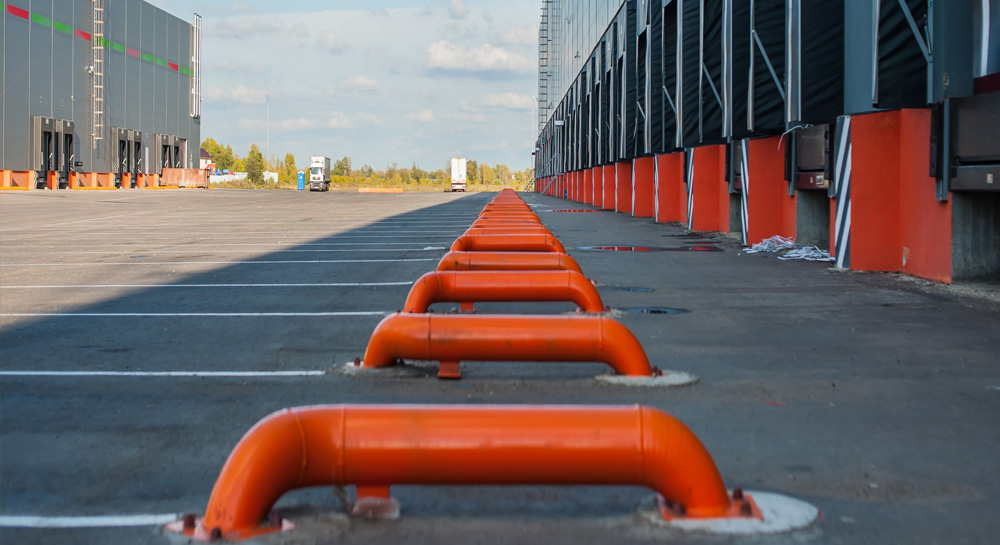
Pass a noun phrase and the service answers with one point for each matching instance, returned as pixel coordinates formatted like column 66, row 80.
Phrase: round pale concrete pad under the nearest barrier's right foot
column 781, row 514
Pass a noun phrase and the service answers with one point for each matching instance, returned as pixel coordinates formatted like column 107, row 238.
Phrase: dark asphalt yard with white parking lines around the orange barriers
column 143, row 332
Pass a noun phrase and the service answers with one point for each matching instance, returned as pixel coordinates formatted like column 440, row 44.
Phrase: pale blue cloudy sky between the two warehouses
column 380, row 81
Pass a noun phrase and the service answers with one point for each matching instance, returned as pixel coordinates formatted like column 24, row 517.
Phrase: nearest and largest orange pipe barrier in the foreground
column 376, row 446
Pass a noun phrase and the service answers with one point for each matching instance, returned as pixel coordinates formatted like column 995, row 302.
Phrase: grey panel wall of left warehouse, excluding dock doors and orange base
column 45, row 73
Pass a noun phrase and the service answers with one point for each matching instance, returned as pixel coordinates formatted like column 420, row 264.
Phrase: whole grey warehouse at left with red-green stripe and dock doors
column 97, row 92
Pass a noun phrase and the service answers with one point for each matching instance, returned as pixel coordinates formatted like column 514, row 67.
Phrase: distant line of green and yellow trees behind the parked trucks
column 480, row 176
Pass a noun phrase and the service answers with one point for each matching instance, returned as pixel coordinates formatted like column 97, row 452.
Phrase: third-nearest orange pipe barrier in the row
column 473, row 286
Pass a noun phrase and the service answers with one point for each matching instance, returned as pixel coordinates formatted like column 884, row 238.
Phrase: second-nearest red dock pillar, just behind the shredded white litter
column 770, row 210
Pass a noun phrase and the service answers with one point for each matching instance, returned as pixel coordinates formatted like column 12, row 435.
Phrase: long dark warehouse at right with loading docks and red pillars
column 868, row 128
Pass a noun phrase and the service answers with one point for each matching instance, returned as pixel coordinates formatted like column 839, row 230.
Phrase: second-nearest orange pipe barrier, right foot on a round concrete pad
column 451, row 338
